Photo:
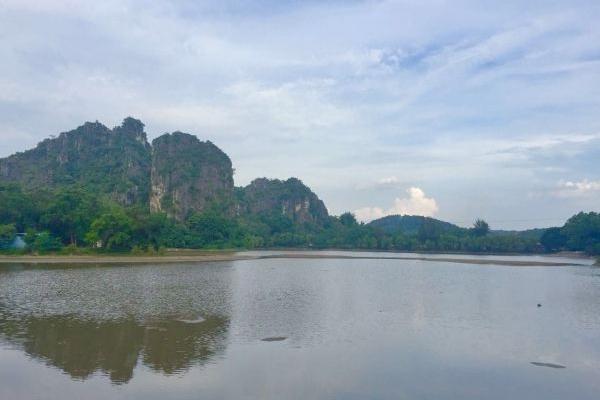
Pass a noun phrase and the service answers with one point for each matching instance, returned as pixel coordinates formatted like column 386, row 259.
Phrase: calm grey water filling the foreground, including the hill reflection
column 353, row 329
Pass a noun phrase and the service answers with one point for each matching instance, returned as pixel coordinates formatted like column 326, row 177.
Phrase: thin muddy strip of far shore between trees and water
column 184, row 256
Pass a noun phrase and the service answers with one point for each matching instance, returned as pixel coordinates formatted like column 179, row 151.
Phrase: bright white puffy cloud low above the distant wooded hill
column 415, row 204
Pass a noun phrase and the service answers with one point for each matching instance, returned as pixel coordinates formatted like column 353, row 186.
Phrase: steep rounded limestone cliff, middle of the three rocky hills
column 189, row 175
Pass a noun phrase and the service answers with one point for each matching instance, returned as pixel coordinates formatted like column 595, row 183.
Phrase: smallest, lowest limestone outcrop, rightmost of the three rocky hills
column 290, row 198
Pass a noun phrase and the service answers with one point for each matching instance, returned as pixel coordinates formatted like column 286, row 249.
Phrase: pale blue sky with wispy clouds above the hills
column 454, row 109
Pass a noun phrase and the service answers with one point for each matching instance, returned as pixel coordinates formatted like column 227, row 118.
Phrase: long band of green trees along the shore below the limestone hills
column 73, row 219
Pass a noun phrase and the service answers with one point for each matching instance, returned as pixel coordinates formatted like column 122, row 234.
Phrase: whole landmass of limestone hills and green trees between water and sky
column 110, row 190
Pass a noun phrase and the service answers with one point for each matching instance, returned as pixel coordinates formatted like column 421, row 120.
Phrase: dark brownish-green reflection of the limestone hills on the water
column 82, row 347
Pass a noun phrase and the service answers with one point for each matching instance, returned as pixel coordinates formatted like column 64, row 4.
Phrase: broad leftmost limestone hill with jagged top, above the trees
column 107, row 161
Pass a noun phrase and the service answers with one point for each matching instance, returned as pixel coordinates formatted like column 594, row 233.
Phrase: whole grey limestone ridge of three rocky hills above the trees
column 178, row 174
